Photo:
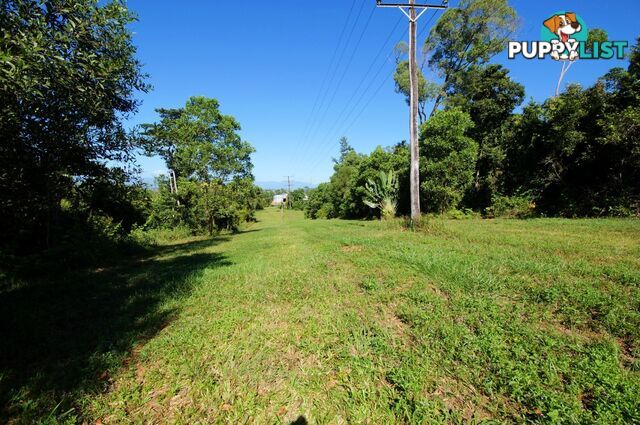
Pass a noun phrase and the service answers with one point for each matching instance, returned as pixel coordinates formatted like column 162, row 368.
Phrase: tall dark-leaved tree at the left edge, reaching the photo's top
column 68, row 78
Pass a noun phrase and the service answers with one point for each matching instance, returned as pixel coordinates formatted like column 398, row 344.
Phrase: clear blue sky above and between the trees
column 268, row 64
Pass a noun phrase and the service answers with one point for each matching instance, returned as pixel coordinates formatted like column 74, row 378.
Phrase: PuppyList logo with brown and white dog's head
column 565, row 37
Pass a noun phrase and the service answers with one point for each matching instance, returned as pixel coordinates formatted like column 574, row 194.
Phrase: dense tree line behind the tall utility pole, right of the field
column 576, row 154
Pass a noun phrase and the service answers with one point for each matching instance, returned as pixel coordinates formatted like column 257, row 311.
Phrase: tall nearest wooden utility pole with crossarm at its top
column 409, row 9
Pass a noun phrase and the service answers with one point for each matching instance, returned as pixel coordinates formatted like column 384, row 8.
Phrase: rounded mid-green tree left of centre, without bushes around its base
column 202, row 145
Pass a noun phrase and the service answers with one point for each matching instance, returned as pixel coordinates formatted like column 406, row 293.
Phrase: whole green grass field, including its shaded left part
column 302, row 321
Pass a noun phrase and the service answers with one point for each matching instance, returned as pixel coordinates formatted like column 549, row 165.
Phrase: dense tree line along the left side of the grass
column 68, row 180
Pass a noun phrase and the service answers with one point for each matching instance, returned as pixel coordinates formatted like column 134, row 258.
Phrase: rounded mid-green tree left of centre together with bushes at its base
column 212, row 165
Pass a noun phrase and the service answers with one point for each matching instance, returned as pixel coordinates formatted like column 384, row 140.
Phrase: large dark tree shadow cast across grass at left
column 62, row 336
